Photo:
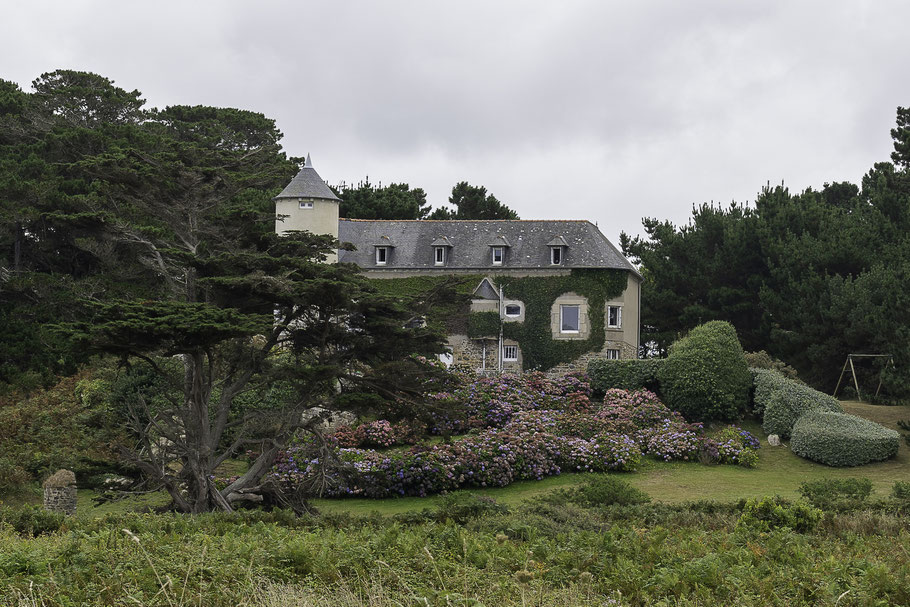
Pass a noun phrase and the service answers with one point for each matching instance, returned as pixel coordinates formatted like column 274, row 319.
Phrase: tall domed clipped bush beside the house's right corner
column 705, row 376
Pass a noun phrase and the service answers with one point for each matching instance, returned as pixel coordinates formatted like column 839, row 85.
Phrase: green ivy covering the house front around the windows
column 539, row 350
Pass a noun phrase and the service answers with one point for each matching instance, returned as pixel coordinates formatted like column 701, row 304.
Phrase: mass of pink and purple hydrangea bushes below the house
column 524, row 427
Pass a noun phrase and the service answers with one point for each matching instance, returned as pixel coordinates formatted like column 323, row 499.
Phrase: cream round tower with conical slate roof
column 307, row 203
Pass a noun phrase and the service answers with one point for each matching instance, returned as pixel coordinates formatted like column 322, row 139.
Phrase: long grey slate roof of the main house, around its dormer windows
column 470, row 242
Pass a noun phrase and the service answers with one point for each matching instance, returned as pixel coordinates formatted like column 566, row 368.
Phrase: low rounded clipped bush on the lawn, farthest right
column 837, row 439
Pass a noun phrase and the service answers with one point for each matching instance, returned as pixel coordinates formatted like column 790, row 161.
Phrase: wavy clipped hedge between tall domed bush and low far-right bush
column 782, row 401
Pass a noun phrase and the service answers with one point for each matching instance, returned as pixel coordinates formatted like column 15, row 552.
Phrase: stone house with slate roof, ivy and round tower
column 558, row 286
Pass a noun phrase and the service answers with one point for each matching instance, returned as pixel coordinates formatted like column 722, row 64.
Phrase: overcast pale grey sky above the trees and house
column 608, row 111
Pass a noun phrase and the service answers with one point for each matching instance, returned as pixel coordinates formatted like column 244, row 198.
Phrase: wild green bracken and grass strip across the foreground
column 556, row 551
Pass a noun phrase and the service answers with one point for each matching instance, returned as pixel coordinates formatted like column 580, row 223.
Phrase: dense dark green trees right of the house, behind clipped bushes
column 808, row 277
